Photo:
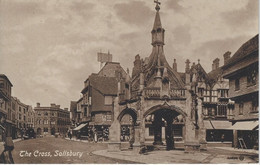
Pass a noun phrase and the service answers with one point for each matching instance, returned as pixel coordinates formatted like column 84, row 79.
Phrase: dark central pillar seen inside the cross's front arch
column 157, row 129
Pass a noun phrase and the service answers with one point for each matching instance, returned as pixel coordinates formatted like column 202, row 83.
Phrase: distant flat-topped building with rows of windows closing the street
column 51, row 120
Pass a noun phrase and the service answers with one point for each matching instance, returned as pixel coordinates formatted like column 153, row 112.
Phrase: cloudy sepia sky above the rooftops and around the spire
column 48, row 48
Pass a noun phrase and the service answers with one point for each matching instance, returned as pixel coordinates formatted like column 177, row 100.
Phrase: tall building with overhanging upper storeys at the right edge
column 242, row 71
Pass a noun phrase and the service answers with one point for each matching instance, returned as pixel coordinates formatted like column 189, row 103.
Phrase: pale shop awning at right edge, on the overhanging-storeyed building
column 244, row 125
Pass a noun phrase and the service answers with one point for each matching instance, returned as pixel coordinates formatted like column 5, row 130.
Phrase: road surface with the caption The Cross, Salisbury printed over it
column 57, row 150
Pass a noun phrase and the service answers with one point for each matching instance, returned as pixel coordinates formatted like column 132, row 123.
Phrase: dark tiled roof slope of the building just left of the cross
column 105, row 85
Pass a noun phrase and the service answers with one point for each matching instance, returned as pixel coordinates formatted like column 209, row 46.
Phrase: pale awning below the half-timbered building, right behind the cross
column 216, row 124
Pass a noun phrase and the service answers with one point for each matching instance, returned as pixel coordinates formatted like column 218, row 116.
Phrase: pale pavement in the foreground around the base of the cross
column 212, row 156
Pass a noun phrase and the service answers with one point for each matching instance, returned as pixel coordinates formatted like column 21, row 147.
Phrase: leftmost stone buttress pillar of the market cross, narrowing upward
column 114, row 130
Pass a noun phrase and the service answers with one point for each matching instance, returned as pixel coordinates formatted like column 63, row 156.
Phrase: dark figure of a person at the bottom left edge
column 6, row 143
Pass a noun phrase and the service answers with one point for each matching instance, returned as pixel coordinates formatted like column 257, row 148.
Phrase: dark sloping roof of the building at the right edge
column 245, row 50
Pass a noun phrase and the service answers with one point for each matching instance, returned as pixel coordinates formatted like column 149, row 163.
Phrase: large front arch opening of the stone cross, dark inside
column 162, row 124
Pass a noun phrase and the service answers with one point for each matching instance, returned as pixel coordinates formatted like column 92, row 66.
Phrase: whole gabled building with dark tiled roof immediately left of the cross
column 96, row 104
